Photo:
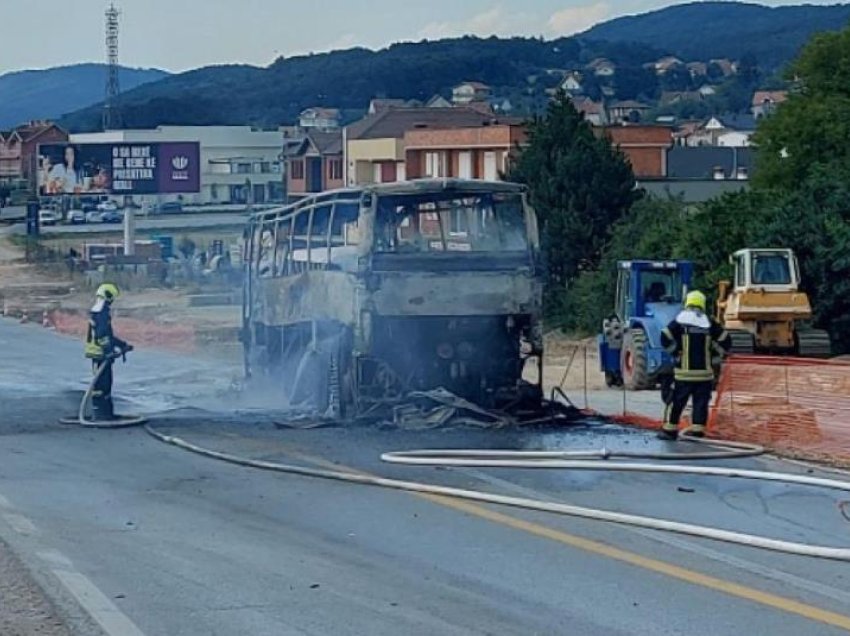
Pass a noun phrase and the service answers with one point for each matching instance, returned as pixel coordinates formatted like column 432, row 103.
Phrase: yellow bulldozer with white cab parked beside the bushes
column 764, row 310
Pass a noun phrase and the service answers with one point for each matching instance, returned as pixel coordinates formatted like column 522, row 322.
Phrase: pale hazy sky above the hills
column 178, row 35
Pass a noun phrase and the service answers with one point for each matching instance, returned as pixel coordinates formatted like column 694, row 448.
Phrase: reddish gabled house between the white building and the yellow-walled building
column 314, row 163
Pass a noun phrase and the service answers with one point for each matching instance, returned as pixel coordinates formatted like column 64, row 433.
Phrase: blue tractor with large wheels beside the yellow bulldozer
column 649, row 296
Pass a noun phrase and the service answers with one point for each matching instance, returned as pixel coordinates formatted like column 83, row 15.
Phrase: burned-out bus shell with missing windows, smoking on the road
column 358, row 297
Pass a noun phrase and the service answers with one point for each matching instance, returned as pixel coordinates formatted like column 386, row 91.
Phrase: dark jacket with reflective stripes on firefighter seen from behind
column 692, row 339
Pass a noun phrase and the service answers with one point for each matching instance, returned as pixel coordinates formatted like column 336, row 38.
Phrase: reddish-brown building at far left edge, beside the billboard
column 18, row 156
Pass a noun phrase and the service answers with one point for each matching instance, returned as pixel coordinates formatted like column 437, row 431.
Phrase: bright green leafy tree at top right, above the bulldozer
column 812, row 128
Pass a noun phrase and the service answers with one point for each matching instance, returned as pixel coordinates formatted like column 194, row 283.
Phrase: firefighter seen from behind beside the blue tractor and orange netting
column 692, row 339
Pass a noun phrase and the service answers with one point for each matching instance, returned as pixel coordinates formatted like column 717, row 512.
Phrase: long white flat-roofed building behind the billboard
column 235, row 160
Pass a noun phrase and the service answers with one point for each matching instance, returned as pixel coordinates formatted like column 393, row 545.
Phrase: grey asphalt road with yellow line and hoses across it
column 136, row 537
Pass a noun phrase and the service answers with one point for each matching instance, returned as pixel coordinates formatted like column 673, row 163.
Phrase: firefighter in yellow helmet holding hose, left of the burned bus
column 102, row 347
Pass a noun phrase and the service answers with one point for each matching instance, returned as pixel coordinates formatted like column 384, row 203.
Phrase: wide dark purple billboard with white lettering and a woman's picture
column 119, row 168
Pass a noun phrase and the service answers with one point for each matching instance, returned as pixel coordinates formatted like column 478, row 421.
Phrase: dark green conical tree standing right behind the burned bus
column 579, row 185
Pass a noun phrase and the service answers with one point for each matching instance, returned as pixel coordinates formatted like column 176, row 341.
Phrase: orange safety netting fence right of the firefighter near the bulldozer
column 793, row 406
